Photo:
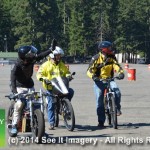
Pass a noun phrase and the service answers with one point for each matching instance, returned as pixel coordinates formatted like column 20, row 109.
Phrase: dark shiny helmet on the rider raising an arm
column 27, row 52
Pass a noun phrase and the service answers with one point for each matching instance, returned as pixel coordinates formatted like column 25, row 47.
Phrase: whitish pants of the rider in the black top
column 19, row 105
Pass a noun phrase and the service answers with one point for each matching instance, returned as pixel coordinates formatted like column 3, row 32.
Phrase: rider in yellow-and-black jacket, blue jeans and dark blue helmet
column 102, row 66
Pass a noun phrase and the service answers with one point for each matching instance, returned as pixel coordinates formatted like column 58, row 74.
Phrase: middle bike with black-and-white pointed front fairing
column 63, row 106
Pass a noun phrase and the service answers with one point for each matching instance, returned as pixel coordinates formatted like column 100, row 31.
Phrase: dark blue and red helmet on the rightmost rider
column 106, row 47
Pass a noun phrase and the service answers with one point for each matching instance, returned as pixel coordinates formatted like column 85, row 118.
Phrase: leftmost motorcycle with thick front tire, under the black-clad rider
column 32, row 114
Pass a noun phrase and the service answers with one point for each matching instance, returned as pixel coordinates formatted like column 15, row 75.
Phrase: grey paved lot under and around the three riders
column 134, row 125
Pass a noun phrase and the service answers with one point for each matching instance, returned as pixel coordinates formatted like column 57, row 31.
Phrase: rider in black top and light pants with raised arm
column 21, row 77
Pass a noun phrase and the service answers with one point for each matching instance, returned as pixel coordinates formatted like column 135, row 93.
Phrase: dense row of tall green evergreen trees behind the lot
column 78, row 25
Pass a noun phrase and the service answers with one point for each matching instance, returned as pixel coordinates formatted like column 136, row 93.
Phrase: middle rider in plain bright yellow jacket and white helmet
column 52, row 68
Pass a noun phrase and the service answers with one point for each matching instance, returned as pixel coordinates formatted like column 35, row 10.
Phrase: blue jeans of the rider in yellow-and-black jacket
column 99, row 87
